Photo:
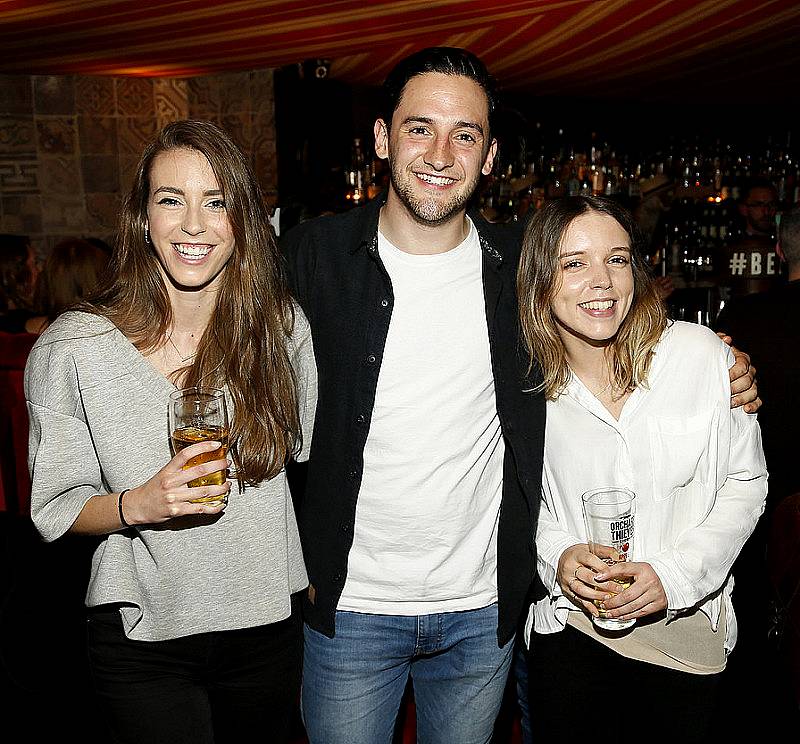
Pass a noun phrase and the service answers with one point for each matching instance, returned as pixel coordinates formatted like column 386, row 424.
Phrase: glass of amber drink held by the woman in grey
column 199, row 414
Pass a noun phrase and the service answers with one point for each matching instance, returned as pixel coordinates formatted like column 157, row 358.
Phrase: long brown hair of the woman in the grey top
column 244, row 345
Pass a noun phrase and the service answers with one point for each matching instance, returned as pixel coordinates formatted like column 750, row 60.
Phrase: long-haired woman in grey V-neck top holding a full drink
column 193, row 632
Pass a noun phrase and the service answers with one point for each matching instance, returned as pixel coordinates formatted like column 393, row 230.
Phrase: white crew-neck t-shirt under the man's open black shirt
column 426, row 519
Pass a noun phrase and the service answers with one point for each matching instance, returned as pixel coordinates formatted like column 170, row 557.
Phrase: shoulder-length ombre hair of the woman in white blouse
column 630, row 352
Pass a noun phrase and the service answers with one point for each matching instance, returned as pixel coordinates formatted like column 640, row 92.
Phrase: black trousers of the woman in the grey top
column 211, row 688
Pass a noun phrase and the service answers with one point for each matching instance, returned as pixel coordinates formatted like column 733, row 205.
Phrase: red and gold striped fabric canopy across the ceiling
column 627, row 49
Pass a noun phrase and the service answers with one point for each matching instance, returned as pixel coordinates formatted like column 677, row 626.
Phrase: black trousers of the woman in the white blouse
column 579, row 686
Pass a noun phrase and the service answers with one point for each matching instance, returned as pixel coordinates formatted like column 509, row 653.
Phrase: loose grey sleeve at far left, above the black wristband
column 65, row 471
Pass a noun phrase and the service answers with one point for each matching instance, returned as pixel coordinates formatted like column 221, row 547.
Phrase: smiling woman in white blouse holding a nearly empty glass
column 638, row 402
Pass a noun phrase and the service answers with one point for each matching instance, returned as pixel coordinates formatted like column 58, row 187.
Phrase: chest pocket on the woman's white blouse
column 677, row 446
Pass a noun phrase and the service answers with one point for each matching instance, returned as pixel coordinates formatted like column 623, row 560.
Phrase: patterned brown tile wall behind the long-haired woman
column 69, row 144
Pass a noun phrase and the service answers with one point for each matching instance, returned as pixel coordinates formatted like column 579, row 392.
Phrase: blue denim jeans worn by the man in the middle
column 353, row 683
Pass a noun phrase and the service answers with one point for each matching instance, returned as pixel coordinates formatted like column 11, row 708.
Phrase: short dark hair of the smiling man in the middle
column 445, row 60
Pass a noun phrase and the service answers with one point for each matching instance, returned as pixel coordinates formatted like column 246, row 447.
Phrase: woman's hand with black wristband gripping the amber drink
column 166, row 495
